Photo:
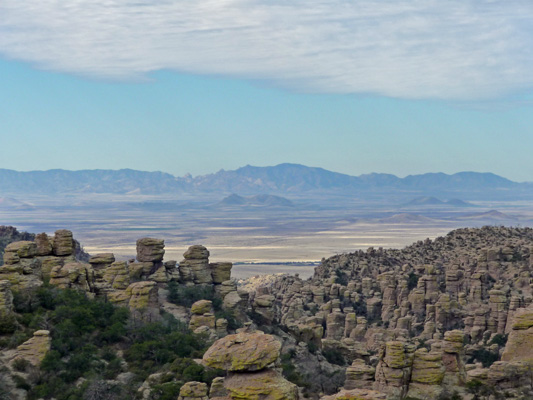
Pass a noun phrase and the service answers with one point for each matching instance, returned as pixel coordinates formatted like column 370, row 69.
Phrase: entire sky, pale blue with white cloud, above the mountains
column 361, row 86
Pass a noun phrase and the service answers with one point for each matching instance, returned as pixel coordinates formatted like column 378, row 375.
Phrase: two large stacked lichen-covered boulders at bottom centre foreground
column 249, row 358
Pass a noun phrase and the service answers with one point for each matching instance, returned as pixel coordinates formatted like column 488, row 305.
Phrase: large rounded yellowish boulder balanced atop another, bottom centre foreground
column 243, row 352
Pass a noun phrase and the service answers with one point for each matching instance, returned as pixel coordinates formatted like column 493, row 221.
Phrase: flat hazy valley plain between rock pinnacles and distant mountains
column 259, row 238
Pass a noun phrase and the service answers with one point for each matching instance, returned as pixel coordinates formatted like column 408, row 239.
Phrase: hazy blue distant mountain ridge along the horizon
column 250, row 180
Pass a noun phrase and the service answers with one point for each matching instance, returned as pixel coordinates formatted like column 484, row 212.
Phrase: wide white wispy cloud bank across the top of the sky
column 455, row 49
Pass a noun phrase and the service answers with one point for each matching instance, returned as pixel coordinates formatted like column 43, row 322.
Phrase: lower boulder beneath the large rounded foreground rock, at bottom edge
column 263, row 385
